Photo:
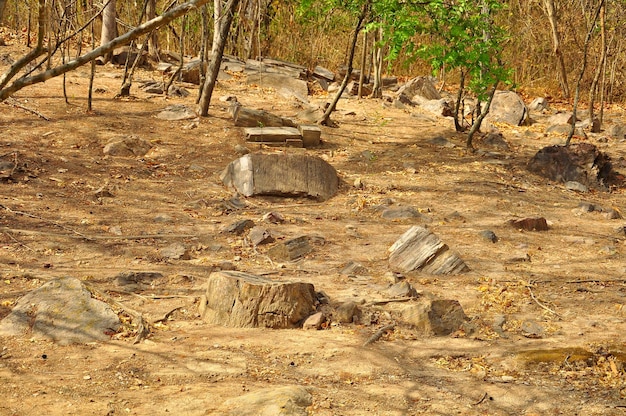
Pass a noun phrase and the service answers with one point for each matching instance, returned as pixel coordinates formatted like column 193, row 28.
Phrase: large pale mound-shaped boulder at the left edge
column 62, row 311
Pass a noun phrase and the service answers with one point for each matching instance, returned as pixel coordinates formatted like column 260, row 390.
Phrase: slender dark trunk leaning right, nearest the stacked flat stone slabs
column 219, row 42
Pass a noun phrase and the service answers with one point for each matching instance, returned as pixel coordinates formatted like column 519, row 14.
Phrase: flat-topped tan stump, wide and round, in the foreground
column 238, row 299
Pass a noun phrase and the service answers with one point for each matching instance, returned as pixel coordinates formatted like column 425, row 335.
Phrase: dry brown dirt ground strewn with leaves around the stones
column 52, row 224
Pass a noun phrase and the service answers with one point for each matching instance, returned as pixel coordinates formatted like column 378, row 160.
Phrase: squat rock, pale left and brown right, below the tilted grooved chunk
column 434, row 317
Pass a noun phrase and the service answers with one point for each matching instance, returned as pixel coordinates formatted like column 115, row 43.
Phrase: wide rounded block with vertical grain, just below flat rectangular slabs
column 282, row 175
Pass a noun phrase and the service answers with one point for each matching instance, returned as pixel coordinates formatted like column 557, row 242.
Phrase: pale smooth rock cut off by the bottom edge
column 273, row 401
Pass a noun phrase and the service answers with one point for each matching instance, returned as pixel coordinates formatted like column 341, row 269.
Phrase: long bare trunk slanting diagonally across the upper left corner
column 100, row 51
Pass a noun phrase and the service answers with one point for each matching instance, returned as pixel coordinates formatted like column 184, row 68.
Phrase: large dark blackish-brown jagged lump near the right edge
column 580, row 162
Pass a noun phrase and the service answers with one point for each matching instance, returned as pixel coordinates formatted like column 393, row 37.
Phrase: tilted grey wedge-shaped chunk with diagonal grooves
column 419, row 249
